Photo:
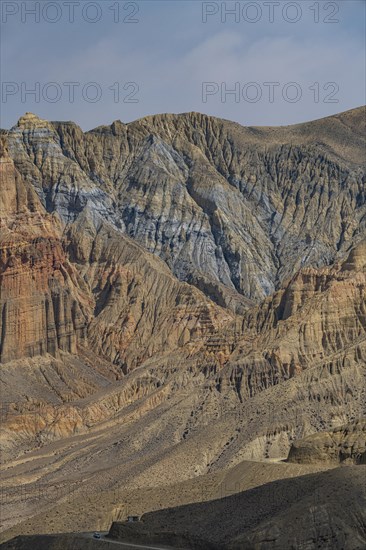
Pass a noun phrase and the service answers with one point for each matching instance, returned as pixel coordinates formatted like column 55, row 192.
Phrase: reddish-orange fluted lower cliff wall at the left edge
column 40, row 313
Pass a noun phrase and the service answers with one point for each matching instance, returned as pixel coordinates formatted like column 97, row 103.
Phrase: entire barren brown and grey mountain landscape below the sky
column 182, row 328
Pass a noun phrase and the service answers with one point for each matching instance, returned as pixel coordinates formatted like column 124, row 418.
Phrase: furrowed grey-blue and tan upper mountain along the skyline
column 233, row 210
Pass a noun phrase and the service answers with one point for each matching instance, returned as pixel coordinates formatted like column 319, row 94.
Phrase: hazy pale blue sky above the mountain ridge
column 170, row 52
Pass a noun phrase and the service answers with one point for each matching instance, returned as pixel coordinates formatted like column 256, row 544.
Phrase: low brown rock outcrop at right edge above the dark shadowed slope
column 344, row 444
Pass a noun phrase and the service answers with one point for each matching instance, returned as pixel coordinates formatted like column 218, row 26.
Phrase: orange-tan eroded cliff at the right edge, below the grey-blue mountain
column 315, row 319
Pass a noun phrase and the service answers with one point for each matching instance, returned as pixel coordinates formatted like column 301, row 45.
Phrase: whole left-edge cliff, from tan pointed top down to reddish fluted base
column 41, row 307
